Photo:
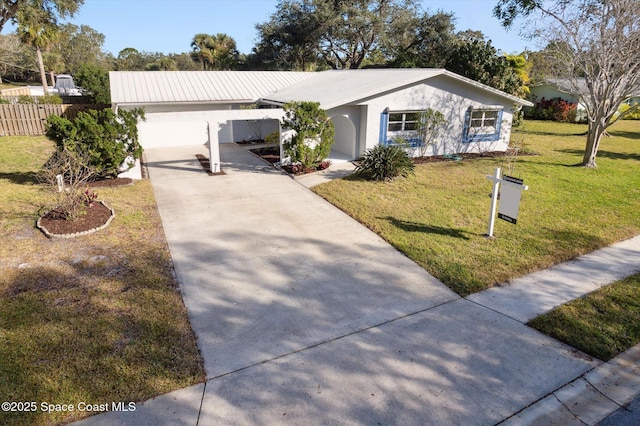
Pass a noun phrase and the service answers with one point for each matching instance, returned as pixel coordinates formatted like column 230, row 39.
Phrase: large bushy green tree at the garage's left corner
column 109, row 139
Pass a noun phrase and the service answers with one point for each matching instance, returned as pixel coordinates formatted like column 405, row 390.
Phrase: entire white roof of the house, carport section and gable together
column 329, row 88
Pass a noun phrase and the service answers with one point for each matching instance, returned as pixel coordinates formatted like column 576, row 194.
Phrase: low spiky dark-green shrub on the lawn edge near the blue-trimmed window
column 385, row 162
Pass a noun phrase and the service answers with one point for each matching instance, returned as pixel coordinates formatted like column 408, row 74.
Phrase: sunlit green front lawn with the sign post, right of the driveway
column 439, row 217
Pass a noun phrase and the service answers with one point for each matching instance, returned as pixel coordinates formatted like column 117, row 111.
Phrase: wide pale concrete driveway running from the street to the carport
column 305, row 316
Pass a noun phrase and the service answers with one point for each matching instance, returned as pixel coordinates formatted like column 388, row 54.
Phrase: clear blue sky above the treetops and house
column 168, row 26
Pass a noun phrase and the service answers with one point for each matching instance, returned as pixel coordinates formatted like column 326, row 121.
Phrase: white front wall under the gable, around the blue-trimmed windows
column 453, row 99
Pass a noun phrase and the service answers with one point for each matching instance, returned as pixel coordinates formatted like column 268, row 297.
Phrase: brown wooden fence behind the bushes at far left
column 29, row 119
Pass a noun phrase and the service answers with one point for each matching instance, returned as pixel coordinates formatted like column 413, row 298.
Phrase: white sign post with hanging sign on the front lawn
column 509, row 198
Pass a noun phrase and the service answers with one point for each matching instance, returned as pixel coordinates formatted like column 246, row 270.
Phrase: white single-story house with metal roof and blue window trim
column 367, row 107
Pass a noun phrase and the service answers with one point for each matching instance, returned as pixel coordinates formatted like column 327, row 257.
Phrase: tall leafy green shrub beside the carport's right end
column 314, row 132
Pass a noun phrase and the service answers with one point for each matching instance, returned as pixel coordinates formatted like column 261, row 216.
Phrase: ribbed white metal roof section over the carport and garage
column 145, row 87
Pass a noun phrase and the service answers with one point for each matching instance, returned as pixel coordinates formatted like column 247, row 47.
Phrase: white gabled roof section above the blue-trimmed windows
column 342, row 87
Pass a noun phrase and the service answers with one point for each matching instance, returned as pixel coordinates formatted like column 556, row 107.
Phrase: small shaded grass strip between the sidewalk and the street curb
column 602, row 324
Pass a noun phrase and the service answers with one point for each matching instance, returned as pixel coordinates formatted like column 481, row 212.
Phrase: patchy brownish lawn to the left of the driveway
column 93, row 319
